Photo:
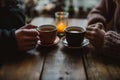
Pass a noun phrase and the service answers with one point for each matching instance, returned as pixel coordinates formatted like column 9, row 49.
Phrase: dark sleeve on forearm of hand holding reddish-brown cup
column 8, row 43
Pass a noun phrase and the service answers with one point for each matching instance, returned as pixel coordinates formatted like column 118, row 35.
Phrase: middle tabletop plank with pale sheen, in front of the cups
column 64, row 64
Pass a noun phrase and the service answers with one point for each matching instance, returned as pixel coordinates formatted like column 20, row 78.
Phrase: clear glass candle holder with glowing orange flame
column 61, row 22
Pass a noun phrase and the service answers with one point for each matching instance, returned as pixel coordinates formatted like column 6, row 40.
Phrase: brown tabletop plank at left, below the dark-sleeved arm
column 24, row 67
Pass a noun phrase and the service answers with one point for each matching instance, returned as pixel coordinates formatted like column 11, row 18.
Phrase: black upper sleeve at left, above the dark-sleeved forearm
column 12, row 18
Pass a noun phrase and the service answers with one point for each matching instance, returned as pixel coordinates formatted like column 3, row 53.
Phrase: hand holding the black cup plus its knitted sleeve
column 107, row 42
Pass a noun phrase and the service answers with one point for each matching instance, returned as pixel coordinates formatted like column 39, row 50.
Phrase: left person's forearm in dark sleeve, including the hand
column 20, row 40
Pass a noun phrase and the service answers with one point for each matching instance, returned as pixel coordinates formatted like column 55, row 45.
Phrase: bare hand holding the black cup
column 95, row 33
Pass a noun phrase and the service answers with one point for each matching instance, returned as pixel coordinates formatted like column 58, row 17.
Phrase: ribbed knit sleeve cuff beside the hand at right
column 112, row 44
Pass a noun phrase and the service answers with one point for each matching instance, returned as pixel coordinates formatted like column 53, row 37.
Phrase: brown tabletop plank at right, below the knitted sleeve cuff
column 99, row 67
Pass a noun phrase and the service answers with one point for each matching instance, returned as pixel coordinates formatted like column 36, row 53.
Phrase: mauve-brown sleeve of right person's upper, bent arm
column 102, row 13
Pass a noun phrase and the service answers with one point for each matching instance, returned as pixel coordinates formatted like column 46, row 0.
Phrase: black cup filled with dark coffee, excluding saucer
column 74, row 35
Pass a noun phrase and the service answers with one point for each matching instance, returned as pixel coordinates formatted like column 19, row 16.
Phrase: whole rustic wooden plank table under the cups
column 59, row 62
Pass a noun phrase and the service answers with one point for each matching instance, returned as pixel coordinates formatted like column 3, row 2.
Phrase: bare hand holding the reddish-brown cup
column 27, row 37
